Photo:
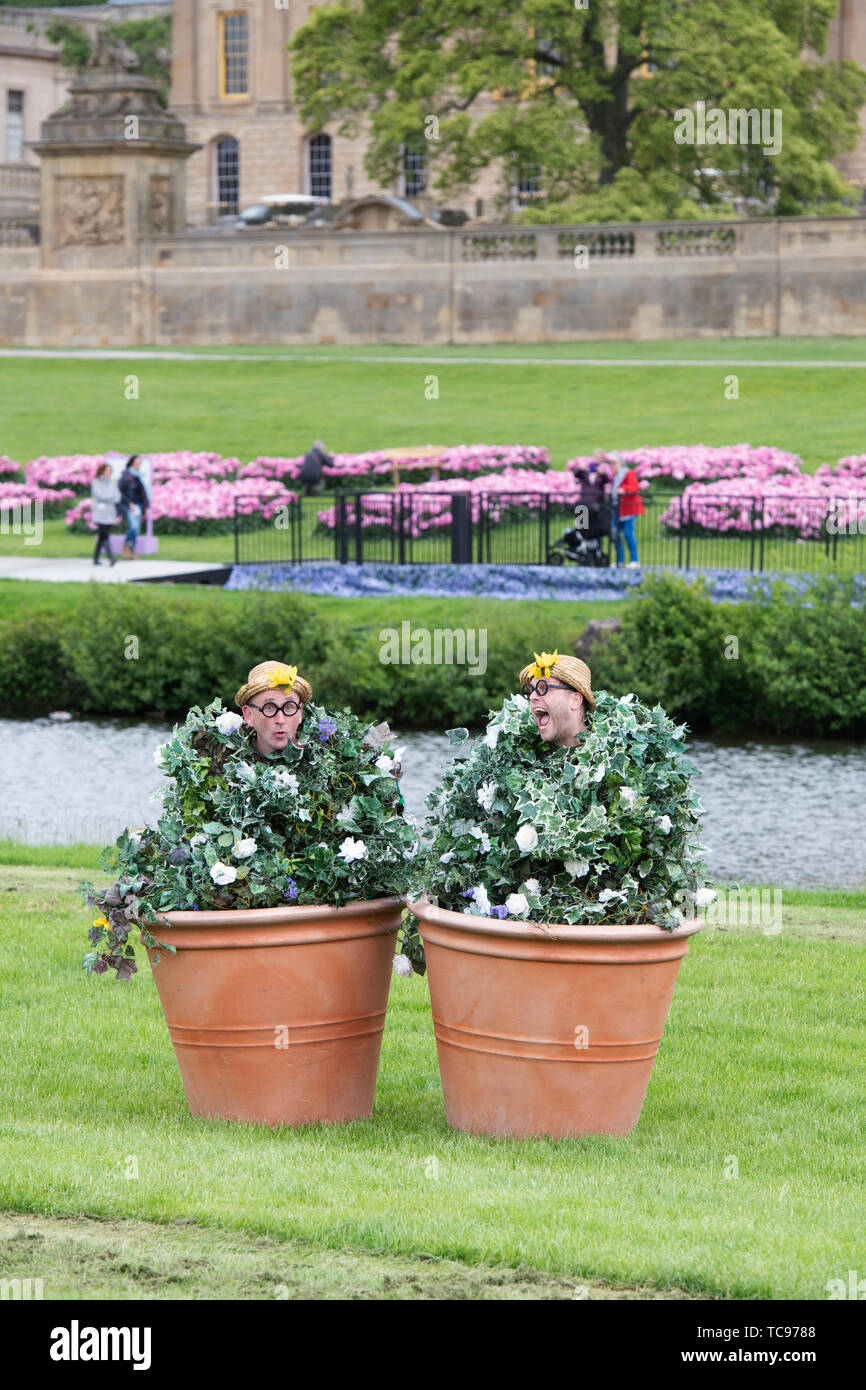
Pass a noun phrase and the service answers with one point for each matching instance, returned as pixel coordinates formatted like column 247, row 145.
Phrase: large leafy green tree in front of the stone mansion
column 589, row 98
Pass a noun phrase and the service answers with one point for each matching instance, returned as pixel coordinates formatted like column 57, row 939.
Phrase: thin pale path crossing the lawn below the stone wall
column 136, row 355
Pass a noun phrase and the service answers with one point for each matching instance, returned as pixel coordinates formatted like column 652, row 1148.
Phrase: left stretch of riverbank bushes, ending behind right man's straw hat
column 194, row 646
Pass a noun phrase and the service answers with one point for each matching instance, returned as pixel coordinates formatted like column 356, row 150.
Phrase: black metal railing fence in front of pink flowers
column 500, row 528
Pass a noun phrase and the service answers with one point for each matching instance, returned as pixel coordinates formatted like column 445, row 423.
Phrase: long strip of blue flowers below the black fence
column 497, row 582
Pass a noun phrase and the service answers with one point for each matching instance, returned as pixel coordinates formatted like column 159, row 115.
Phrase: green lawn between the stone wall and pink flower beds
column 250, row 408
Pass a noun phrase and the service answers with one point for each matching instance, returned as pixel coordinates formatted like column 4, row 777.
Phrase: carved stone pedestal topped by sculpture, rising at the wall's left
column 113, row 166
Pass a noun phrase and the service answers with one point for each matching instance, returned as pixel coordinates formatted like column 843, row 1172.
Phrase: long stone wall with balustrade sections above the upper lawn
column 498, row 284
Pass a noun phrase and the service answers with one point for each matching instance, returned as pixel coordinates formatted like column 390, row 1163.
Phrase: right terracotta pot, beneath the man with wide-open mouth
column 547, row 1031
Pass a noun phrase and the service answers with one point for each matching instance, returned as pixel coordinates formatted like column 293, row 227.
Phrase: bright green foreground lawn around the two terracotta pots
column 761, row 1075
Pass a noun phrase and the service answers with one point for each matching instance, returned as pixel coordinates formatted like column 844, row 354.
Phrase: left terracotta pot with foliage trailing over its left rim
column 277, row 1014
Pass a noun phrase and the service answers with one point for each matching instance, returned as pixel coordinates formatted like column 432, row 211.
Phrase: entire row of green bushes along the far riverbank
column 785, row 667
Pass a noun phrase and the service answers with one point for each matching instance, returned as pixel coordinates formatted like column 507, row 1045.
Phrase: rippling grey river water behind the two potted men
column 786, row 814
